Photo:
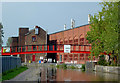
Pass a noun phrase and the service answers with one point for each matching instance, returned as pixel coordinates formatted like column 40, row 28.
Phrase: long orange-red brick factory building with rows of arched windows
column 73, row 36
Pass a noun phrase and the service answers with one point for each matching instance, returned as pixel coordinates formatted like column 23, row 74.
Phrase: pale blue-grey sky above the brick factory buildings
column 50, row 16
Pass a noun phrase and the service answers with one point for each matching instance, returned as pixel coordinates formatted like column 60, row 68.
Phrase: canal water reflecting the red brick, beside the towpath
column 57, row 74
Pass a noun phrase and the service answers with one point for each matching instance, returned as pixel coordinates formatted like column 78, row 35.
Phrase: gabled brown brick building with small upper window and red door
column 35, row 37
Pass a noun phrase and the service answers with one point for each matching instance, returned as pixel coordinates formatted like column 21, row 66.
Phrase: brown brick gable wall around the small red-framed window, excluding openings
column 40, row 39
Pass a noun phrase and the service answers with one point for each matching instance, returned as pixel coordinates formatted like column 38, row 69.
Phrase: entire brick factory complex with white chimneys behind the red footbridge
column 38, row 36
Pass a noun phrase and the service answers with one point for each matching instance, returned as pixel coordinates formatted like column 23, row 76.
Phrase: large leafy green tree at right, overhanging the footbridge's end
column 103, row 34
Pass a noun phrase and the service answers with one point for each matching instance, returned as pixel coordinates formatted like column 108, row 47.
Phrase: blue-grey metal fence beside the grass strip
column 9, row 62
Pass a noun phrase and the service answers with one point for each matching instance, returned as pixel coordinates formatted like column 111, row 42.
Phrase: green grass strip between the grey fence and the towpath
column 13, row 73
